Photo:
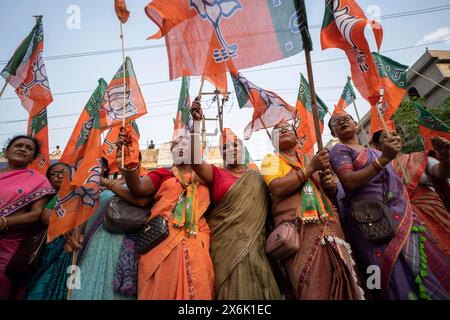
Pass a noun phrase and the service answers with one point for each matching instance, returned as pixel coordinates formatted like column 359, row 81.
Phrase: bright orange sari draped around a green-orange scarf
column 180, row 267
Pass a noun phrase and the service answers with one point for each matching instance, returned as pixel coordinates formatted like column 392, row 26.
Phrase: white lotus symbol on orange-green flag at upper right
column 345, row 23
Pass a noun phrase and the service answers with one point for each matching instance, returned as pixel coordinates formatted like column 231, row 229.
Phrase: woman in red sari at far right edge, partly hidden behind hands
column 429, row 189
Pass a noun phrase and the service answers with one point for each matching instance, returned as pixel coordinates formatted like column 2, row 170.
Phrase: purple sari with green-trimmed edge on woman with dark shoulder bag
column 411, row 265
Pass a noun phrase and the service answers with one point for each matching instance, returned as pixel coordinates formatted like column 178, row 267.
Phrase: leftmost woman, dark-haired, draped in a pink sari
column 24, row 193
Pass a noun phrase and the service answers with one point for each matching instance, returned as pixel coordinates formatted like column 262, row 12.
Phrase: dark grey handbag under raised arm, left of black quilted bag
column 122, row 217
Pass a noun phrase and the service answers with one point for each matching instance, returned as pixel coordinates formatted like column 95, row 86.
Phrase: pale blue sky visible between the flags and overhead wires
column 74, row 27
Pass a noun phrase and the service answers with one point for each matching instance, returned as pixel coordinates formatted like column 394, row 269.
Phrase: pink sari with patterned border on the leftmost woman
column 19, row 188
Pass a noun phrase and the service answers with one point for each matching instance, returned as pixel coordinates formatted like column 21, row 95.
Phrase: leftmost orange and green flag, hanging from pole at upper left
column 26, row 72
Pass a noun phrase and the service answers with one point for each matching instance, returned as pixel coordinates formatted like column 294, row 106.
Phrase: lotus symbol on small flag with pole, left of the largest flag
column 114, row 103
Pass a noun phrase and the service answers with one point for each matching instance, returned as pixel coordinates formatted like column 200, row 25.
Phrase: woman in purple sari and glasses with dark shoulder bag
column 410, row 264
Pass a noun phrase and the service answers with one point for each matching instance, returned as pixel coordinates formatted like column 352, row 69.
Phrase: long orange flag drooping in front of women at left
column 79, row 194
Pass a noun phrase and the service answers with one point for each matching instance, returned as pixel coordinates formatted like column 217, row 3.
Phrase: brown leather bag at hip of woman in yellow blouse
column 283, row 241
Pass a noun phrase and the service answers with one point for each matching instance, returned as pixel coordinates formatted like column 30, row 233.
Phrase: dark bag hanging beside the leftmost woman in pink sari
column 27, row 256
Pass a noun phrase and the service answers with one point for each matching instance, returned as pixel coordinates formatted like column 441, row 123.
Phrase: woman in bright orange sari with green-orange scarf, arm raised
column 180, row 267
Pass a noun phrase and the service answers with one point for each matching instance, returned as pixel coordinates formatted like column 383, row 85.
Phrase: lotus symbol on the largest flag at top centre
column 213, row 11
